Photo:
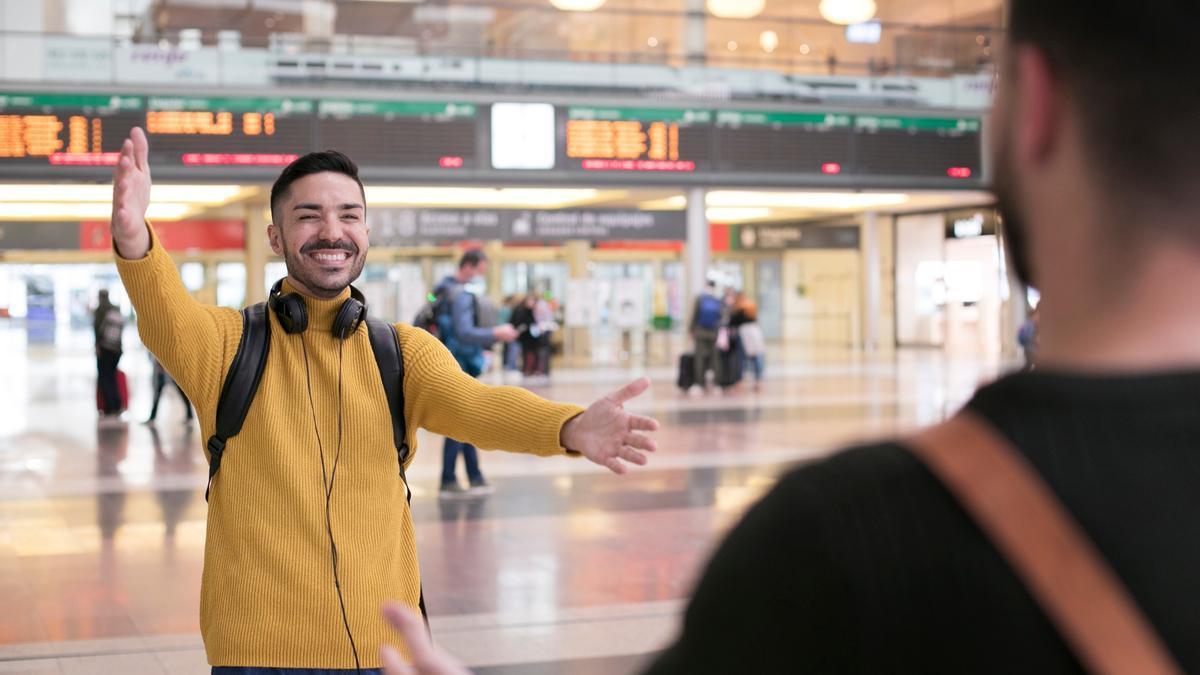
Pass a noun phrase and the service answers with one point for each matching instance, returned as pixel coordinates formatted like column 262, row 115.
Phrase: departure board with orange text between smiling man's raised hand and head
column 229, row 132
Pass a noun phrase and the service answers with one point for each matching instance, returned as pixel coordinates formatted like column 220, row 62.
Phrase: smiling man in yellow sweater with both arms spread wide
column 309, row 530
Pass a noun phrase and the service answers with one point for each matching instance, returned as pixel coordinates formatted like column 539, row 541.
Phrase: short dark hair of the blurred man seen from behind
column 1131, row 67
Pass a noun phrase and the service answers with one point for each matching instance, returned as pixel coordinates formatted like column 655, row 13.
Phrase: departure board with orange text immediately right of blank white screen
column 637, row 140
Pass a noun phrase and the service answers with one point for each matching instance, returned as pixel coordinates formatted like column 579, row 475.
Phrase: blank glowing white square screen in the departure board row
column 524, row 136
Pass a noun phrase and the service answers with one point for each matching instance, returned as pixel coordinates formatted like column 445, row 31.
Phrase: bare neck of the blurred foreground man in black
column 1150, row 325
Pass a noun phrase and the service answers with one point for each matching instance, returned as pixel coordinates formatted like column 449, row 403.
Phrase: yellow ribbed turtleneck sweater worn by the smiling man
column 268, row 596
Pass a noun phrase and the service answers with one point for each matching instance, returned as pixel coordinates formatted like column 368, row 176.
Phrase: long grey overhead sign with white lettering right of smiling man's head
column 406, row 228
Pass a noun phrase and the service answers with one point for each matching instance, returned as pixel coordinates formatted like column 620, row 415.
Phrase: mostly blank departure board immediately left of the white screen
column 401, row 134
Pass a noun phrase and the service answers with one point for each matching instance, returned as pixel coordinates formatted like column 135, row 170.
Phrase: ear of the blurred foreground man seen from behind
column 1039, row 107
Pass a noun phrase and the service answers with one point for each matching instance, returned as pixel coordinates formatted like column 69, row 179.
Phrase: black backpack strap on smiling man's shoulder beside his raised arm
column 242, row 384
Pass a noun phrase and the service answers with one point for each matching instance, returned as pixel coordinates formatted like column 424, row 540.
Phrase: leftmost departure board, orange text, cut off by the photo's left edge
column 65, row 130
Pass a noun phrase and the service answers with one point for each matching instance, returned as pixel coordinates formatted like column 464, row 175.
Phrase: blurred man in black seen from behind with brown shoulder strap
column 1052, row 527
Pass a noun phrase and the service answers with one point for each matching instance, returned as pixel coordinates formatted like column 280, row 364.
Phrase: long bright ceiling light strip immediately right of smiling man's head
column 398, row 196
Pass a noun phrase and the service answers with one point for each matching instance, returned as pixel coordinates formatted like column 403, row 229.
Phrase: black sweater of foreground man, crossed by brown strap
column 866, row 564
